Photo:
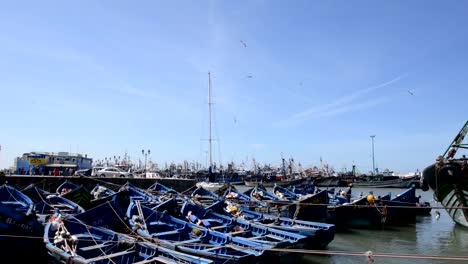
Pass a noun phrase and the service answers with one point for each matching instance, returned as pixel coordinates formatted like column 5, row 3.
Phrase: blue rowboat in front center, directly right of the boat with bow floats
column 186, row 237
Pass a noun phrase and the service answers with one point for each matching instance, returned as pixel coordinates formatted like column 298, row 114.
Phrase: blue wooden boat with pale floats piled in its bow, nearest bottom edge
column 68, row 240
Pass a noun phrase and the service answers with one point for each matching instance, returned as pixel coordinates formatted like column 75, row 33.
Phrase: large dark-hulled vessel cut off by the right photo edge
column 448, row 178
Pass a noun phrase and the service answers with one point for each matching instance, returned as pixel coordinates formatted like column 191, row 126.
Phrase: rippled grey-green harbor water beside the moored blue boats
column 427, row 241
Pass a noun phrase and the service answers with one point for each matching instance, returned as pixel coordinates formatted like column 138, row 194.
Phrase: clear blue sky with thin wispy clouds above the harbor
column 105, row 77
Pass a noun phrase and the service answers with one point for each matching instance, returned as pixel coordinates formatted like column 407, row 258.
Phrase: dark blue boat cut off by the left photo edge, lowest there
column 20, row 228
